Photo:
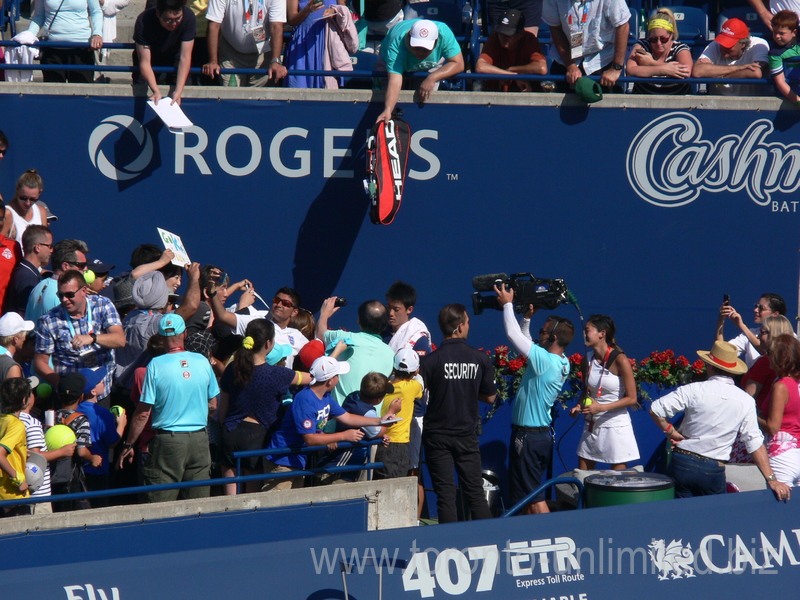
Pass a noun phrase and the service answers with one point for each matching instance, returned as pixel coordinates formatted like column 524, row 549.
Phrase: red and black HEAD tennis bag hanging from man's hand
column 387, row 164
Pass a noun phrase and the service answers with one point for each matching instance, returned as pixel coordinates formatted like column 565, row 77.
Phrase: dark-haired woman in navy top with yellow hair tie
column 251, row 394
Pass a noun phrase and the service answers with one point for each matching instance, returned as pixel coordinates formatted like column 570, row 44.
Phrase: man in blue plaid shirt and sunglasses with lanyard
column 81, row 332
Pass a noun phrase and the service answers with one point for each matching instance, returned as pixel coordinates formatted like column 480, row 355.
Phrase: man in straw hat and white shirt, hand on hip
column 715, row 412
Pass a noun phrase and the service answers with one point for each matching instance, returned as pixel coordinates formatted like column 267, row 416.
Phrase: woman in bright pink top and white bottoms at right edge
column 781, row 420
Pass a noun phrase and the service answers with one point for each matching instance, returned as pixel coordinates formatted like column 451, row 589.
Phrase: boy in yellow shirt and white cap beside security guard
column 395, row 455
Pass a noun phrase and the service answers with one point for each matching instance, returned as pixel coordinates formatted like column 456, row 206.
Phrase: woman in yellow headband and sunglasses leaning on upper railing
column 661, row 56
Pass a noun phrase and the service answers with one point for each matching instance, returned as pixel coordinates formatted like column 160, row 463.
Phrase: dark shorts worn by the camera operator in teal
column 529, row 457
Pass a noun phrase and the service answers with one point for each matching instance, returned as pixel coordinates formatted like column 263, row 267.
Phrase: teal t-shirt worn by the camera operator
column 540, row 387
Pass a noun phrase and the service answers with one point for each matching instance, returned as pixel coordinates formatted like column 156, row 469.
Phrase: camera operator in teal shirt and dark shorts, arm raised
column 531, row 446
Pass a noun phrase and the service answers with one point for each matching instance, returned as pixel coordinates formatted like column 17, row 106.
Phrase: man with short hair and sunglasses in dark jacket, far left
column 37, row 246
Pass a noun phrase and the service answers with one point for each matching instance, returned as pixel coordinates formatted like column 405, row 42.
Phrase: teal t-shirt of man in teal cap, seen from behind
column 179, row 386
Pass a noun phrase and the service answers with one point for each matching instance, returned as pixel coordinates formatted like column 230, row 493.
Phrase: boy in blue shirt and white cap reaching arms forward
column 305, row 420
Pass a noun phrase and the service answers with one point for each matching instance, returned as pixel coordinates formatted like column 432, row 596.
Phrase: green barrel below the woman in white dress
column 611, row 488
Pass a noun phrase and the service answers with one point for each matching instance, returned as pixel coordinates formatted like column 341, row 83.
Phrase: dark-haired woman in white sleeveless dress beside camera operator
column 607, row 433
